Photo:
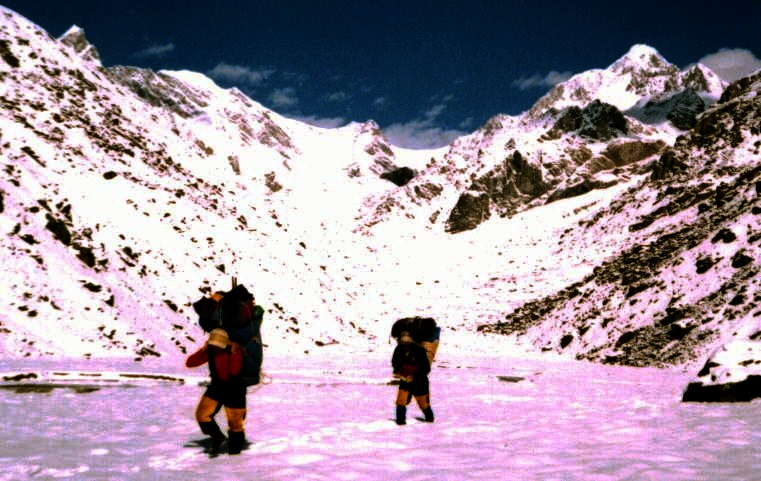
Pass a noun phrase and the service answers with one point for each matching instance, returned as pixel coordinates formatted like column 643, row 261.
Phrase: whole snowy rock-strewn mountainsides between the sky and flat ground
column 577, row 227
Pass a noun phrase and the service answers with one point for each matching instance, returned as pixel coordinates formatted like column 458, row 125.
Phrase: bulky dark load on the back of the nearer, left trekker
column 237, row 315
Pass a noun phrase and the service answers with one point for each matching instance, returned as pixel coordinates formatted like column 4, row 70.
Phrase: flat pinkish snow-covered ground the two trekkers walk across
column 329, row 417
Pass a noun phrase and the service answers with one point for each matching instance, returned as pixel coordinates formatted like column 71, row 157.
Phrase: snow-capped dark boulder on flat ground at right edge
column 731, row 374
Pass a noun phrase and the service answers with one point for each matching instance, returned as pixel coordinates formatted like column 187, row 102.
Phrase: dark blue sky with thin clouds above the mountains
column 423, row 70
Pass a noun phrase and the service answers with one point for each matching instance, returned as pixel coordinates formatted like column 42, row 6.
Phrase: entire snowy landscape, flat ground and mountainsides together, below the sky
column 126, row 194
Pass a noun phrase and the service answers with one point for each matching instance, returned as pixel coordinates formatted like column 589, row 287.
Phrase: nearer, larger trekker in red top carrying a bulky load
column 234, row 354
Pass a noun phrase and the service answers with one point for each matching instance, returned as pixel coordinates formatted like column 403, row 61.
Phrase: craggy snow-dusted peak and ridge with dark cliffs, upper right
column 590, row 132
